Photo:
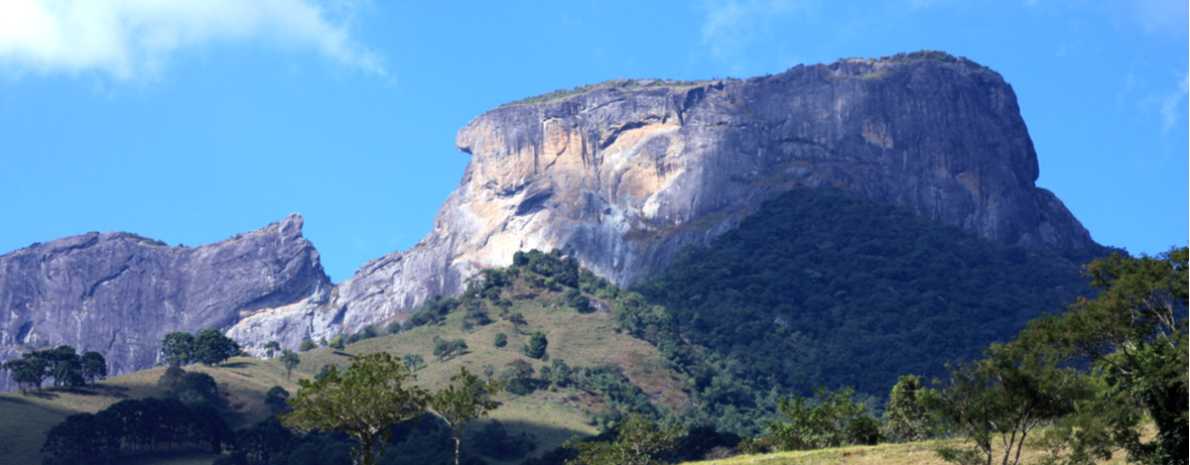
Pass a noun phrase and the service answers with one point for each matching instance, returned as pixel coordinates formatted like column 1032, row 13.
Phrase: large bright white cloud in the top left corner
column 133, row 40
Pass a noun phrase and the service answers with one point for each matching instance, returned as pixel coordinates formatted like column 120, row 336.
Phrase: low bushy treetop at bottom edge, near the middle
column 638, row 443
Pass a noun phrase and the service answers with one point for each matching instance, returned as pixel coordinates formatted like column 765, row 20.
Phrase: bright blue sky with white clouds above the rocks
column 191, row 122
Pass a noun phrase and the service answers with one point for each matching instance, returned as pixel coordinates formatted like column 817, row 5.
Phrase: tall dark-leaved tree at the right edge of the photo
column 1136, row 336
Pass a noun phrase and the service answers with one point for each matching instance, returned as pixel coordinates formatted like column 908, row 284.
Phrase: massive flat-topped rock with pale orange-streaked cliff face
column 623, row 177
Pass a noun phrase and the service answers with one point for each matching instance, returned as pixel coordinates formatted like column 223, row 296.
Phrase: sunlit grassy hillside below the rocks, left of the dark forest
column 553, row 416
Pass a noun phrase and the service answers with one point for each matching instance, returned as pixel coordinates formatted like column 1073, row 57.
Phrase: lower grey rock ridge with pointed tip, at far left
column 120, row 296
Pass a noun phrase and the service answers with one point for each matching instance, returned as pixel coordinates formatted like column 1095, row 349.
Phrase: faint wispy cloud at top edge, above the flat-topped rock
column 731, row 26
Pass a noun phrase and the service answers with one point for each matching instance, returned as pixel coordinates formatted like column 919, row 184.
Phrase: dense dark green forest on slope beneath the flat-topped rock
column 823, row 290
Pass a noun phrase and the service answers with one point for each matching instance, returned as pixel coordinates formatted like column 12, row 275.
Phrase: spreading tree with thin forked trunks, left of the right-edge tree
column 999, row 401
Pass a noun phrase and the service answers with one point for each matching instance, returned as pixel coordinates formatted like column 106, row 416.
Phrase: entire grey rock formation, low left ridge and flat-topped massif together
column 619, row 175
